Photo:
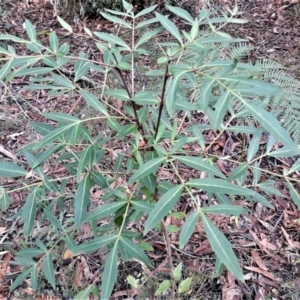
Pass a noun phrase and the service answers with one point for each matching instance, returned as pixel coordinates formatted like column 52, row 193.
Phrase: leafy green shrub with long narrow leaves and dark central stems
column 194, row 75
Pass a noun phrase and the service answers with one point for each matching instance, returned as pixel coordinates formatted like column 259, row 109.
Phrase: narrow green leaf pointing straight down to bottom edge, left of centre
column 109, row 276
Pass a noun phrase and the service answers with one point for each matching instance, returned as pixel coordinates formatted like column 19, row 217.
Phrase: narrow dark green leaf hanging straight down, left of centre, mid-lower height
column 82, row 200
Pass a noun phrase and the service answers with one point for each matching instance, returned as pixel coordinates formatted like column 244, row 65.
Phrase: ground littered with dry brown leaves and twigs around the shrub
column 264, row 240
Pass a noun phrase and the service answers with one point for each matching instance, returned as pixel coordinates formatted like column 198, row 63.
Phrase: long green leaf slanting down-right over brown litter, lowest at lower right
column 222, row 248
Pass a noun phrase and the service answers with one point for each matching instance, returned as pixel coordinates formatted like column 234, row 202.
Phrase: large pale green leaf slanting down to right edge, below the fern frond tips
column 272, row 125
